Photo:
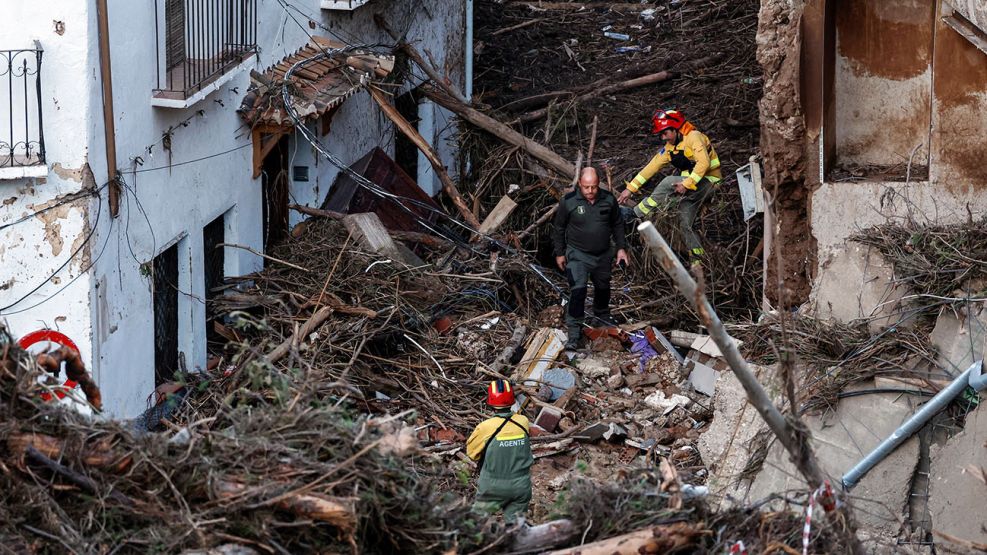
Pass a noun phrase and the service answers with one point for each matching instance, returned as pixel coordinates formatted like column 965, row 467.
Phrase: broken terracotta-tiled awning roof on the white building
column 316, row 88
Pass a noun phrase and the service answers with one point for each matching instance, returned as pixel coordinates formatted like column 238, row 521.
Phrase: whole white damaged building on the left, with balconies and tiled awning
column 132, row 182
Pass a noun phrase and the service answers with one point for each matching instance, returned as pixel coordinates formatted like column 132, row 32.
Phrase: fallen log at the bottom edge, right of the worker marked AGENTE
column 665, row 538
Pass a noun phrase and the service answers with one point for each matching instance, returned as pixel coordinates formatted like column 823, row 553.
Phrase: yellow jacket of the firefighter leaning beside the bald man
column 694, row 157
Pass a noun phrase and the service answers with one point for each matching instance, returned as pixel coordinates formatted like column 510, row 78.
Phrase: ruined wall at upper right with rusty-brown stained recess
column 888, row 127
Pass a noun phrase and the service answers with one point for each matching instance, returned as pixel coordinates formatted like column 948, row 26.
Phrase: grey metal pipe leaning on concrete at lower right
column 971, row 377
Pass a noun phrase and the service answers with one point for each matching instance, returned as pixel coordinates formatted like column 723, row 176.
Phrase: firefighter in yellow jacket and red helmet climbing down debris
column 691, row 153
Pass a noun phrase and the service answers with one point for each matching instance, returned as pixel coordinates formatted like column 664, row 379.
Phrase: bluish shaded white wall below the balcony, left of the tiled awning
column 180, row 192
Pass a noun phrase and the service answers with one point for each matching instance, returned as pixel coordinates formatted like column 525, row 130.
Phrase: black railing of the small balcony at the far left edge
column 22, row 139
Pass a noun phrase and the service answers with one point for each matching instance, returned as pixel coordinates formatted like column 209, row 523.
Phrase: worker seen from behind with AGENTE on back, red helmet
column 502, row 448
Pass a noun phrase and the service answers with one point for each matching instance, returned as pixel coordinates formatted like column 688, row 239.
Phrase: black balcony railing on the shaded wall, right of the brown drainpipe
column 202, row 39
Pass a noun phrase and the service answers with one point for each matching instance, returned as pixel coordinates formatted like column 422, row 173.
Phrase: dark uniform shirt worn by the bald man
column 588, row 227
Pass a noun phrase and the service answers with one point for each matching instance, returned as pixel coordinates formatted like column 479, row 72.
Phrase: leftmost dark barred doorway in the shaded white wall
column 164, row 269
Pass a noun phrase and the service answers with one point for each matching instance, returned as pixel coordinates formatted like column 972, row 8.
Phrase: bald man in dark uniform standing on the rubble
column 588, row 227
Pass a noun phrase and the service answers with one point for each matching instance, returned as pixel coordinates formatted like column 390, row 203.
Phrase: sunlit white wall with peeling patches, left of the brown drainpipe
column 33, row 251
